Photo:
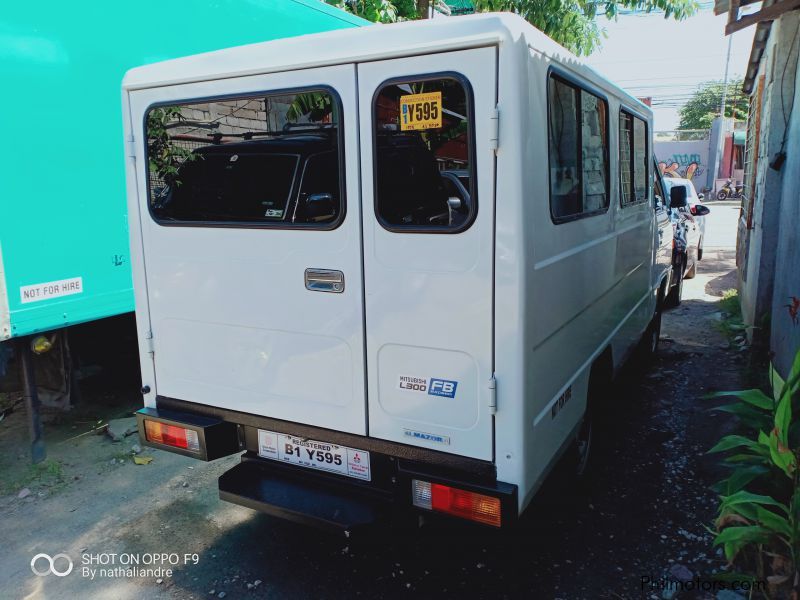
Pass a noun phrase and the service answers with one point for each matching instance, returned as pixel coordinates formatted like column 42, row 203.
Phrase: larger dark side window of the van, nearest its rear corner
column 578, row 132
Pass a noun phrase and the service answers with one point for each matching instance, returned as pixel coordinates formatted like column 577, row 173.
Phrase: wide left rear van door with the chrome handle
column 252, row 244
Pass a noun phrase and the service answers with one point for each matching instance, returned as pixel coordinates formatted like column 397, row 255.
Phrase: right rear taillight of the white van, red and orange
column 459, row 503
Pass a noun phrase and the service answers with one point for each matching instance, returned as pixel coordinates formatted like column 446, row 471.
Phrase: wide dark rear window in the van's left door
column 255, row 161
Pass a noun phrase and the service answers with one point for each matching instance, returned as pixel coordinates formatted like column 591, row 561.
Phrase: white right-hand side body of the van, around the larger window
column 584, row 285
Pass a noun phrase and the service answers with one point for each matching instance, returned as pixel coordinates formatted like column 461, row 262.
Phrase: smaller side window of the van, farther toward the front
column 633, row 163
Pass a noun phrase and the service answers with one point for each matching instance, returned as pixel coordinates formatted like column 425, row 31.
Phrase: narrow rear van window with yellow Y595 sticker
column 424, row 156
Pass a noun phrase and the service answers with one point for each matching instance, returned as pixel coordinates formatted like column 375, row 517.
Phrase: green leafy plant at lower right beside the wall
column 767, row 522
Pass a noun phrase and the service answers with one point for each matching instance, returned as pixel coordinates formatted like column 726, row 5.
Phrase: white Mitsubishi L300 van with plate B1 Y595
column 392, row 265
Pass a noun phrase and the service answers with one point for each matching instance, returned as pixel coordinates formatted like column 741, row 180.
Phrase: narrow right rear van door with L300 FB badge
column 428, row 208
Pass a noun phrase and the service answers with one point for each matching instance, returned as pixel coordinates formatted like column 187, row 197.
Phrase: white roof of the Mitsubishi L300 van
column 362, row 44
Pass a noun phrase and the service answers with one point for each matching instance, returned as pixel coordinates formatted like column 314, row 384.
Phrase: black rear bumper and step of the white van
column 327, row 500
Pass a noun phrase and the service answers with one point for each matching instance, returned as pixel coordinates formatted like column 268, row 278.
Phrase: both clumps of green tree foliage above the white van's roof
column 572, row 23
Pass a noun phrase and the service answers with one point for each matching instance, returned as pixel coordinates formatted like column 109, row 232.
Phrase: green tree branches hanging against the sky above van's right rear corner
column 573, row 23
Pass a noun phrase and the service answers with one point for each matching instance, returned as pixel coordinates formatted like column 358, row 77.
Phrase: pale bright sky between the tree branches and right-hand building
column 666, row 59
